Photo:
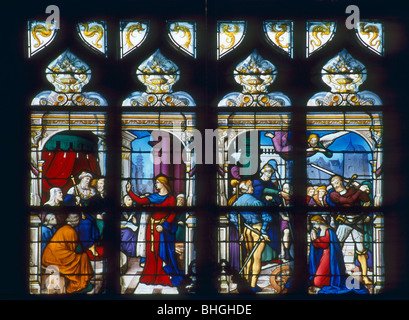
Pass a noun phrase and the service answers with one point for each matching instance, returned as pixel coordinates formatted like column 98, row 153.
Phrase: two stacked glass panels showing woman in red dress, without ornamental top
column 157, row 174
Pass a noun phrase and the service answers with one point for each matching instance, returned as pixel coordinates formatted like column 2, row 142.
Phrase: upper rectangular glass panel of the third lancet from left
column 254, row 149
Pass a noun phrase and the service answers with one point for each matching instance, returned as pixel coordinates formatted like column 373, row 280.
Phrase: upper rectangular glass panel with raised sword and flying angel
column 344, row 159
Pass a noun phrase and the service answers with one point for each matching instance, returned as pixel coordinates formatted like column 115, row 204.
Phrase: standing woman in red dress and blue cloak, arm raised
column 161, row 264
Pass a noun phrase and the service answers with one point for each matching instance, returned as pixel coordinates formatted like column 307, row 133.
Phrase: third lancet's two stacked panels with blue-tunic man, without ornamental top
column 254, row 179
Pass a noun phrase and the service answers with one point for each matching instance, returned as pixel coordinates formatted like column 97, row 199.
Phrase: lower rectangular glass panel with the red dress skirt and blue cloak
column 157, row 261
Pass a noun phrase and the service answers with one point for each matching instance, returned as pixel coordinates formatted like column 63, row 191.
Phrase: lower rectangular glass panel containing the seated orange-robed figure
column 66, row 253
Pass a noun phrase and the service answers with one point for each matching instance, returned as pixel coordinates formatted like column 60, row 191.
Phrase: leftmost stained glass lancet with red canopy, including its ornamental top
column 68, row 169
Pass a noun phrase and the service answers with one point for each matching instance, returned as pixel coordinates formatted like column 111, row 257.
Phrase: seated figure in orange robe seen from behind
column 64, row 251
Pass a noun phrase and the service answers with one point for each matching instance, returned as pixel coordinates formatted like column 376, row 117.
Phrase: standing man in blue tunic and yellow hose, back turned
column 254, row 233
